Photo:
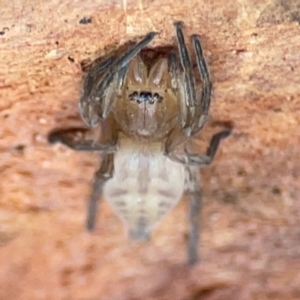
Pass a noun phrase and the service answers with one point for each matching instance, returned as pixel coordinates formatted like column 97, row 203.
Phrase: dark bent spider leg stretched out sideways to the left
column 80, row 138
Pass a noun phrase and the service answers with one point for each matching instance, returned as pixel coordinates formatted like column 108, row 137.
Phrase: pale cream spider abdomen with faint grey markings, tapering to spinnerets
column 146, row 185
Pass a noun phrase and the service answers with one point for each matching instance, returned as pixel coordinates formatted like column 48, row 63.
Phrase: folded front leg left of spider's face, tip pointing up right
column 96, row 105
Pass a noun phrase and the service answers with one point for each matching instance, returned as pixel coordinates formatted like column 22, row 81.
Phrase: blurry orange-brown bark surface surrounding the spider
column 250, row 243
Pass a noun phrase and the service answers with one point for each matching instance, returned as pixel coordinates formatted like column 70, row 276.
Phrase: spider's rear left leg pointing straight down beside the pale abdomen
column 104, row 173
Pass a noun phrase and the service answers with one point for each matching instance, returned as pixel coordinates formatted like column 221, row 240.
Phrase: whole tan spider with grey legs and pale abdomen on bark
column 149, row 109
